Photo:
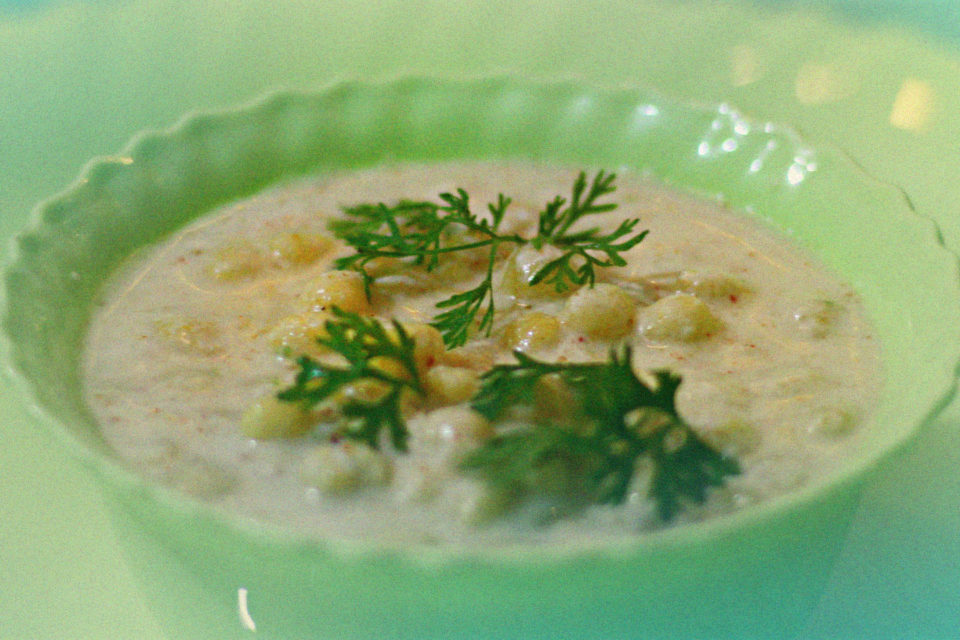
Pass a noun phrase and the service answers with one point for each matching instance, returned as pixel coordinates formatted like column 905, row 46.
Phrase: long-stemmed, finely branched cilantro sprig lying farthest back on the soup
column 422, row 231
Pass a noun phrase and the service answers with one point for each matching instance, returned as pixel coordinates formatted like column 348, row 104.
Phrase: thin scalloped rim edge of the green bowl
column 111, row 469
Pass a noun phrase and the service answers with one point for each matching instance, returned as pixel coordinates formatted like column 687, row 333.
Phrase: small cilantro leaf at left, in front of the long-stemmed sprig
column 372, row 353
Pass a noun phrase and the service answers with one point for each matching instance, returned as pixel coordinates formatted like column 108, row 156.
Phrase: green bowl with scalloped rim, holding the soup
column 708, row 578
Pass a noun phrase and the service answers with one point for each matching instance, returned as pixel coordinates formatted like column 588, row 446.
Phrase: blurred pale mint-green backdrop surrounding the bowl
column 77, row 80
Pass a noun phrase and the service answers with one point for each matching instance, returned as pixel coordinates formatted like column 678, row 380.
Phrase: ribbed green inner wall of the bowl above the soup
column 863, row 230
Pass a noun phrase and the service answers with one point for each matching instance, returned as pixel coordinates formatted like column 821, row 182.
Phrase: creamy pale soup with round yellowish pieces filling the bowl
column 196, row 336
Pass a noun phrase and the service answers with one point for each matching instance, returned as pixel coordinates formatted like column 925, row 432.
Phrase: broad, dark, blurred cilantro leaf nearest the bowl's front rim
column 626, row 421
